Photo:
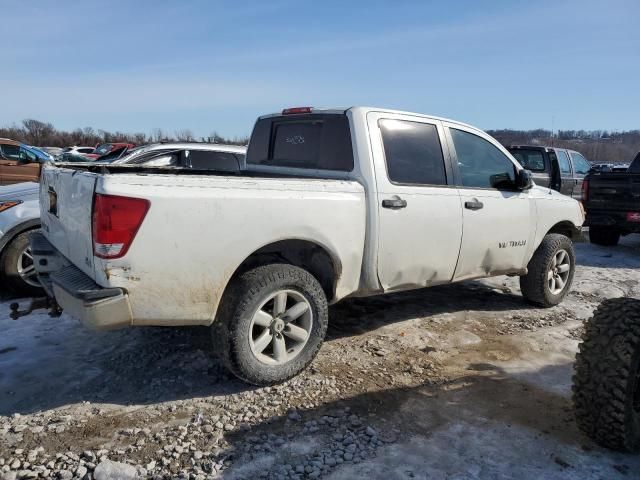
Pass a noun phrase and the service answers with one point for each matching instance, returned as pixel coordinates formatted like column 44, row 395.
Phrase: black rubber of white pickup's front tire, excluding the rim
column 534, row 285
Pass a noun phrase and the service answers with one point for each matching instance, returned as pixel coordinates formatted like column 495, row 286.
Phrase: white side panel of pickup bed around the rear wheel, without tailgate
column 200, row 229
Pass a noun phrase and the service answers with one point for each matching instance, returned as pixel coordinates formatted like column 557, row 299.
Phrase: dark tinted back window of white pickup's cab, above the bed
column 315, row 141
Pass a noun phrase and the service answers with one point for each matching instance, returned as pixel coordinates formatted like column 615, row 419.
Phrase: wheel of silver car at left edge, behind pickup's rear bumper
column 17, row 271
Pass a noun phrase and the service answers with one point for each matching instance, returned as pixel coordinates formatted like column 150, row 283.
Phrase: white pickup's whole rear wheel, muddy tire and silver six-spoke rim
column 271, row 323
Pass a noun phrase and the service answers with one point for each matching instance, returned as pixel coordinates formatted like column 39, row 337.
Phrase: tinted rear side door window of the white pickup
column 412, row 152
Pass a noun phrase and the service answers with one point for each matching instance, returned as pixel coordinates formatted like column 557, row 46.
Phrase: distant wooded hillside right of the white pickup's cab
column 596, row 145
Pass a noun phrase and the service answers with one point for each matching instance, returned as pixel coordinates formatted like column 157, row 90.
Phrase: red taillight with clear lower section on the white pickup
column 116, row 221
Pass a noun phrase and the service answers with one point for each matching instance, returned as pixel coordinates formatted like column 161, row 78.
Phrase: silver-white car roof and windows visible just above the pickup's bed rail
column 198, row 156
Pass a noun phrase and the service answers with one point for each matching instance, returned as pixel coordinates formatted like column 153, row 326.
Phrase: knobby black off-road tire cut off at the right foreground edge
column 606, row 386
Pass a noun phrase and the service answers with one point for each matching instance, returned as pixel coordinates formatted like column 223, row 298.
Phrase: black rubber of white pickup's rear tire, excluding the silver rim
column 241, row 300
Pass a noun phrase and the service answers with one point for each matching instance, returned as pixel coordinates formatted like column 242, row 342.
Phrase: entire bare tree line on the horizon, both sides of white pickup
column 596, row 145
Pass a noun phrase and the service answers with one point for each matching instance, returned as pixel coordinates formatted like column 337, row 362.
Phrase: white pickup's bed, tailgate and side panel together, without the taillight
column 197, row 231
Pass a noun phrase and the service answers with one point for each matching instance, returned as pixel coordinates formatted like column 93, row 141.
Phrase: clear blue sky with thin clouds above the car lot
column 217, row 65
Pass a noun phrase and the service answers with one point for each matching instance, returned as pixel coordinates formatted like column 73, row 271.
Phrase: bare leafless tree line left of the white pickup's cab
column 44, row 134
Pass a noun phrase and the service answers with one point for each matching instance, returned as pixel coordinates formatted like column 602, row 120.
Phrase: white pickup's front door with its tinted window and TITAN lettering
column 498, row 220
